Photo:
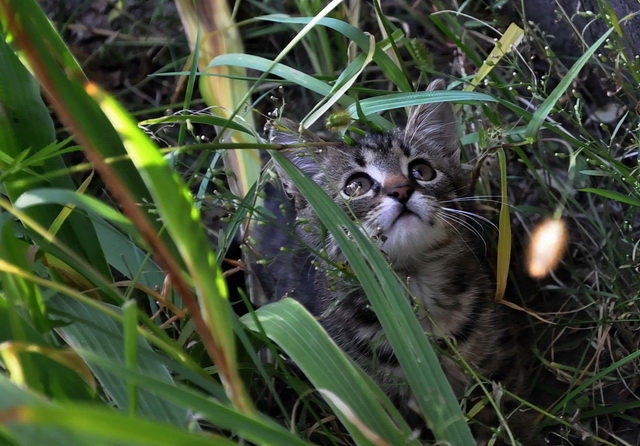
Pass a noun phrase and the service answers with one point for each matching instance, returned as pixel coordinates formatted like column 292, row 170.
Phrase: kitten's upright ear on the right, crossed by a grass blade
column 435, row 125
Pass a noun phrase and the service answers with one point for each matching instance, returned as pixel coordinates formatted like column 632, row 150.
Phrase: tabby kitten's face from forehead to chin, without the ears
column 395, row 188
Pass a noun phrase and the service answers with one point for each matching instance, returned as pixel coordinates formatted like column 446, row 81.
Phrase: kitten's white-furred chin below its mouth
column 409, row 238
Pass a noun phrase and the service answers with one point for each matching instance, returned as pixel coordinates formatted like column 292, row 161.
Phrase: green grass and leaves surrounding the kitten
column 116, row 309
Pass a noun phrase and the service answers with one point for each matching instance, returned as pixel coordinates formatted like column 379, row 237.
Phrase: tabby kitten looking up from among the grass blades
column 408, row 191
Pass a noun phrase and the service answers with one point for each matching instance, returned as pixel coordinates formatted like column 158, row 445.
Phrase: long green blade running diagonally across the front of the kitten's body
column 387, row 297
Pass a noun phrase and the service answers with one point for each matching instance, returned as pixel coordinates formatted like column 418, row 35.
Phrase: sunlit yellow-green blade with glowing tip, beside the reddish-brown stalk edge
column 182, row 219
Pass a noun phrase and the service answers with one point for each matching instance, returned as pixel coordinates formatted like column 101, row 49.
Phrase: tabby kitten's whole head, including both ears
column 394, row 184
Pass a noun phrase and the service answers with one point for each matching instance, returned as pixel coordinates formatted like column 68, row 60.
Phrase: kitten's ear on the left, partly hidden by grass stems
column 285, row 131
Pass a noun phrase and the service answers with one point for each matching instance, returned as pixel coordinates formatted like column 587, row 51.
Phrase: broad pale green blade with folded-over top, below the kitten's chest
column 289, row 325
